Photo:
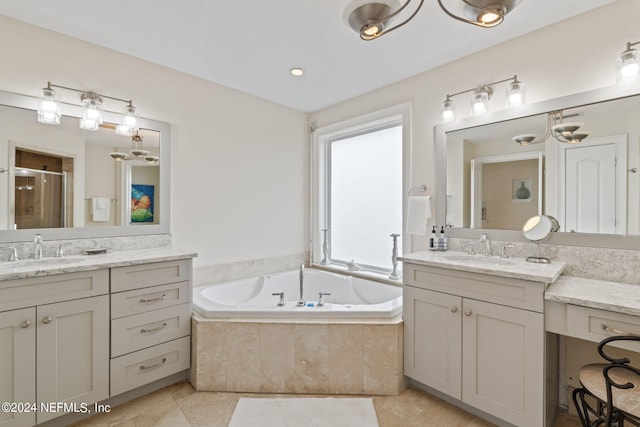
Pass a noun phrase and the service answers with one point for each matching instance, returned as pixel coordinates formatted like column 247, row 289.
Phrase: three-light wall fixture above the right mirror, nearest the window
column 481, row 96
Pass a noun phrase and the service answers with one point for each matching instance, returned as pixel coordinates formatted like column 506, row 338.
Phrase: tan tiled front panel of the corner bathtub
column 310, row 357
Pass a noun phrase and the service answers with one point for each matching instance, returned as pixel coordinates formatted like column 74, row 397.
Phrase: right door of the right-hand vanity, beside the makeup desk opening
column 503, row 362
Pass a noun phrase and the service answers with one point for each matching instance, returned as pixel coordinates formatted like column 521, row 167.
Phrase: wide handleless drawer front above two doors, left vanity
column 48, row 289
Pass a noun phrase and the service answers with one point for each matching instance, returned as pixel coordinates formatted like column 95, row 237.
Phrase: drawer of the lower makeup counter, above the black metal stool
column 594, row 325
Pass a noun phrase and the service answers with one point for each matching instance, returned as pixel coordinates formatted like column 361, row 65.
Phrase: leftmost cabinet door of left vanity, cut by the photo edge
column 17, row 364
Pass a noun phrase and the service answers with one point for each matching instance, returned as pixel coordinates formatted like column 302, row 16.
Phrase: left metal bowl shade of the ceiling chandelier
column 372, row 20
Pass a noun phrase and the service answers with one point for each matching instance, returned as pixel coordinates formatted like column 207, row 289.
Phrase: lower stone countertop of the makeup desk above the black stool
column 601, row 294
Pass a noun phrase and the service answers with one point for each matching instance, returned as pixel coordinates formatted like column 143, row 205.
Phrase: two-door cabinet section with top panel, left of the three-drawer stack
column 52, row 351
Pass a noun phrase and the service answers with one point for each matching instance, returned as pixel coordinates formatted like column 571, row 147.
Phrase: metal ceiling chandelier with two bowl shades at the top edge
column 372, row 20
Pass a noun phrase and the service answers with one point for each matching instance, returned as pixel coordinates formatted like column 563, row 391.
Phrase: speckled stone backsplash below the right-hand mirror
column 615, row 265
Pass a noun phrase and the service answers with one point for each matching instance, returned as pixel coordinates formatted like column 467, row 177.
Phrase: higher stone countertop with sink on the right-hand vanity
column 516, row 268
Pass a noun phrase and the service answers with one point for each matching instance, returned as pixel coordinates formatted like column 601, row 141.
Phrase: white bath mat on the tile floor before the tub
column 304, row 412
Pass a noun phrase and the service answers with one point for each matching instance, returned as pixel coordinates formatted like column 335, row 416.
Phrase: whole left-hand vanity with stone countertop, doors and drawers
column 83, row 329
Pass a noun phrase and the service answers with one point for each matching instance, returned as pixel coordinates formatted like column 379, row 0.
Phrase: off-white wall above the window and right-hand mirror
column 570, row 57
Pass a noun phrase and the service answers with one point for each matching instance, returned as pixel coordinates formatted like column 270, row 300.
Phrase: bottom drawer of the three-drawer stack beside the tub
column 148, row 365
